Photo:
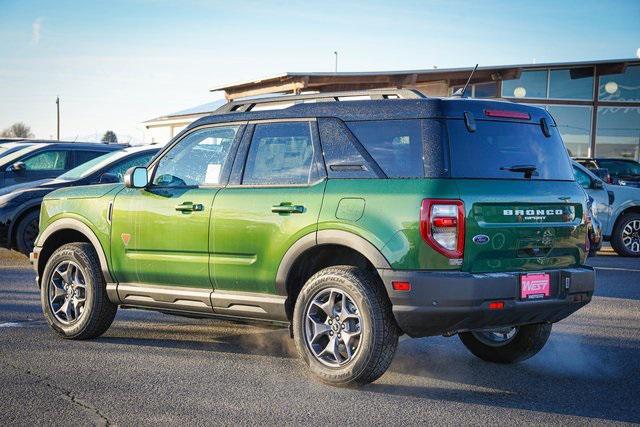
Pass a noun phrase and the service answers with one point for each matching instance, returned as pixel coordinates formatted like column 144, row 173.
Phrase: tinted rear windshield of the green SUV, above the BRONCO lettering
column 495, row 147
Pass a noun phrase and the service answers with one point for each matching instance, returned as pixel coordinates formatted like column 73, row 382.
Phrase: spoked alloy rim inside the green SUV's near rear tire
column 333, row 327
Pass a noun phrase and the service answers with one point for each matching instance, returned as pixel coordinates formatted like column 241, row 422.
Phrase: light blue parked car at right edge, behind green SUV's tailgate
column 617, row 208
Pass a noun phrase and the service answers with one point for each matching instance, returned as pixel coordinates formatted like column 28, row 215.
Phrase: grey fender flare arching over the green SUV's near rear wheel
column 327, row 237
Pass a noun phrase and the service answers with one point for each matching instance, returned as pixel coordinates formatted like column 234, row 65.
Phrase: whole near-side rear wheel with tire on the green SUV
column 343, row 326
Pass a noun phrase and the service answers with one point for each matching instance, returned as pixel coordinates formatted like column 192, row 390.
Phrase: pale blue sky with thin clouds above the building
column 116, row 63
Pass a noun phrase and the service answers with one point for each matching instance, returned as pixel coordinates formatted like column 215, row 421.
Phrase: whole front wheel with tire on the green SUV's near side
column 73, row 293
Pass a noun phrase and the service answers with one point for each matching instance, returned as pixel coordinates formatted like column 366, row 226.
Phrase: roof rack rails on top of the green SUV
column 244, row 105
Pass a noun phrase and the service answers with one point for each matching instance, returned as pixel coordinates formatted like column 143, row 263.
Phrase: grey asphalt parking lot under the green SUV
column 153, row 368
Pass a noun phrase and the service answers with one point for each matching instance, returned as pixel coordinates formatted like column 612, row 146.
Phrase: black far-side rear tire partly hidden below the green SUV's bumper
column 527, row 341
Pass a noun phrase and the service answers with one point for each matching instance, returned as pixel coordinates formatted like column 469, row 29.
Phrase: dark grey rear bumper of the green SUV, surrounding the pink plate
column 450, row 302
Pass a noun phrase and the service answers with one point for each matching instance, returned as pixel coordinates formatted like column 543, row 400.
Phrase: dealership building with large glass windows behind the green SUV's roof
column 596, row 104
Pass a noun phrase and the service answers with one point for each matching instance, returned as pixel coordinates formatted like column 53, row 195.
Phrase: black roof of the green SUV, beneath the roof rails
column 385, row 109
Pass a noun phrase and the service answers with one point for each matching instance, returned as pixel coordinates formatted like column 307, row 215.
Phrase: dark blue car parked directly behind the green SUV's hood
column 20, row 204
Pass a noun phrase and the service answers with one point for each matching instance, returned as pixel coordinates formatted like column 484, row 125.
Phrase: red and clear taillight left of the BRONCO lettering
column 442, row 226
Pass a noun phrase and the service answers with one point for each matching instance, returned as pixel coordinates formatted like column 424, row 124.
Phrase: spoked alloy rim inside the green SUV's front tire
column 67, row 292
